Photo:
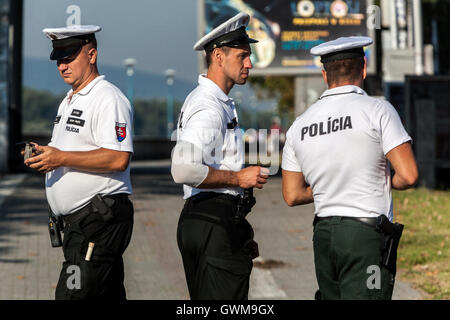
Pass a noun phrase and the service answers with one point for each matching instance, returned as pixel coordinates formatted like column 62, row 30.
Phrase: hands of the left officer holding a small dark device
column 46, row 160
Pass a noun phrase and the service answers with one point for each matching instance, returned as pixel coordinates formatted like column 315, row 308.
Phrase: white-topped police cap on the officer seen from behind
column 341, row 48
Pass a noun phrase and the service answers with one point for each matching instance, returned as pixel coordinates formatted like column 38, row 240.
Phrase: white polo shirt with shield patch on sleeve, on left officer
column 99, row 116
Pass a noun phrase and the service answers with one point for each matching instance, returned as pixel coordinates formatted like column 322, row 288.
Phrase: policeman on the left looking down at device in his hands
column 87, row 170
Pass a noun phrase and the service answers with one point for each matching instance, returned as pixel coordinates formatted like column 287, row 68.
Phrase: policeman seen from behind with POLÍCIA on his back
column 337, row 155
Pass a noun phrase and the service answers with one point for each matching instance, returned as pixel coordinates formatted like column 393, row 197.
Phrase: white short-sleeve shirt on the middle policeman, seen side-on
column 208, row 120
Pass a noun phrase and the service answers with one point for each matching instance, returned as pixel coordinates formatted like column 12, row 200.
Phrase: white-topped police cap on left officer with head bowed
column 68, row 40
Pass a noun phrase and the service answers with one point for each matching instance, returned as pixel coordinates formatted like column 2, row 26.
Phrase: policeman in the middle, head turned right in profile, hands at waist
column 214, row 238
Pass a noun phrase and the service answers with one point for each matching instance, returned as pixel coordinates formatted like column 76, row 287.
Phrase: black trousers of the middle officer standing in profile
column 212, row 245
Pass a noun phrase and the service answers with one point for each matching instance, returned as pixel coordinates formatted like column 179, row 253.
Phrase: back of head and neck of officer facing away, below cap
column 346, row 70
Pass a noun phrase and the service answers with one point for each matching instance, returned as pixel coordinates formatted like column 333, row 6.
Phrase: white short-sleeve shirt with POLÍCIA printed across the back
column 340, row 145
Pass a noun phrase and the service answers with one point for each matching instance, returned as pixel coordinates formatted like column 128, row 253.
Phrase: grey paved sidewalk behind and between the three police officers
column 29, row 267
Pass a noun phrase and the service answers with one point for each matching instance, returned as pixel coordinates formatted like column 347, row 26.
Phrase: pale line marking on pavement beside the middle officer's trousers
column 263, row 285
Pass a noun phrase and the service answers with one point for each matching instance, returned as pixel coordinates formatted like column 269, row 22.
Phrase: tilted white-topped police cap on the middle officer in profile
column 230, row 33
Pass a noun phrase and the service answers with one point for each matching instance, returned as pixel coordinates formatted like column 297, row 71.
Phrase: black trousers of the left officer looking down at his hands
column 102, row 277
